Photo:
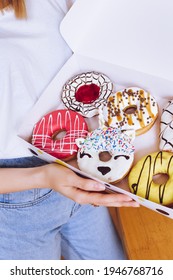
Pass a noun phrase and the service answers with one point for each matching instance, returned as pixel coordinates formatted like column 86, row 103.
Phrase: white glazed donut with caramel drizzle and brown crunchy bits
column 131, row 108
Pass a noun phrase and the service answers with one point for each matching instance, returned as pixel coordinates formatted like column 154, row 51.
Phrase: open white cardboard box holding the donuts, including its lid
column 130, row 42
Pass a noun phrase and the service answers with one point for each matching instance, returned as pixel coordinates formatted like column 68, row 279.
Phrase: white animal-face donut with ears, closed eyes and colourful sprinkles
column 106, row 154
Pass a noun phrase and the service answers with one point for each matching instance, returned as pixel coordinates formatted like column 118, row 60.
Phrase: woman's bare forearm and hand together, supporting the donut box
column 62, row 180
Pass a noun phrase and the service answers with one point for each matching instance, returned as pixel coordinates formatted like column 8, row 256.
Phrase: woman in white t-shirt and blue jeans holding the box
column 45, row 209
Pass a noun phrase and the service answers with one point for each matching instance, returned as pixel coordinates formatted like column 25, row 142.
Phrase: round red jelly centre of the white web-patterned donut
column 87, row 93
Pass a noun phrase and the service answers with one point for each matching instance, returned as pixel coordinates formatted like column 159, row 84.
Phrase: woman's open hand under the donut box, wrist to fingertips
column 83, row 191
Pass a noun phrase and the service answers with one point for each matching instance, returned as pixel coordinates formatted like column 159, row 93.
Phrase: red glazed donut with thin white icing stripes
column 46, row 133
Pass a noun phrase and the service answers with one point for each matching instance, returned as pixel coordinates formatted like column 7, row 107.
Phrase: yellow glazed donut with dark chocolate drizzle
column 141, row 181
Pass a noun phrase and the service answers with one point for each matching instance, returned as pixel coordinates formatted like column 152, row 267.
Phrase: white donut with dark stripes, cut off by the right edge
column 166, row 128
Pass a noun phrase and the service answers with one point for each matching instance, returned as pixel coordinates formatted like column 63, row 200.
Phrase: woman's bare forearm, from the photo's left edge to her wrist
column 20, row 179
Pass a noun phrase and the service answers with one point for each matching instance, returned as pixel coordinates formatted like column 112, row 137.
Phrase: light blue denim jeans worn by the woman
column 43, row 224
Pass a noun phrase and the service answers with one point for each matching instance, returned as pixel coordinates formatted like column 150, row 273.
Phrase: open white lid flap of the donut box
column 133, row 34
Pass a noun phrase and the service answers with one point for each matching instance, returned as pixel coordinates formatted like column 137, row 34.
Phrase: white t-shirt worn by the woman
column 32, row 51
